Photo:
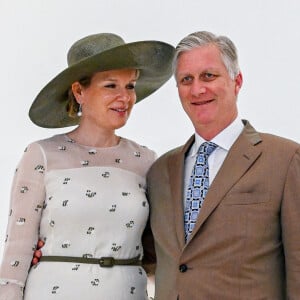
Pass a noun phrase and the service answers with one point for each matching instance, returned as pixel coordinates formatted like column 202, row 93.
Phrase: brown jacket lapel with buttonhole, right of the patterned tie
column 239, row 160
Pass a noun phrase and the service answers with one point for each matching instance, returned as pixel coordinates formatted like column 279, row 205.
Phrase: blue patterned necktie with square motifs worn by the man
column 198, row 187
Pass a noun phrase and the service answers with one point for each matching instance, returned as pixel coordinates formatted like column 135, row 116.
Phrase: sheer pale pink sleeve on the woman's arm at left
column 27, row 199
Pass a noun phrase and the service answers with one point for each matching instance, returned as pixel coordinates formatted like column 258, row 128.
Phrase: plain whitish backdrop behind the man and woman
column 36, row 35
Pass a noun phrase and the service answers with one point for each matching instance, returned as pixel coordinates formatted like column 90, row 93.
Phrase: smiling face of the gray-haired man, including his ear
column 207, row 93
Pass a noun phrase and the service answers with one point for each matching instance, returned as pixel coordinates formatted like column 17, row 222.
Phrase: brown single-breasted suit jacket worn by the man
column 246, row 243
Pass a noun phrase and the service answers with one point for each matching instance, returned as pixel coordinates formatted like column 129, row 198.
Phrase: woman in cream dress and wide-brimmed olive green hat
column 83, row 192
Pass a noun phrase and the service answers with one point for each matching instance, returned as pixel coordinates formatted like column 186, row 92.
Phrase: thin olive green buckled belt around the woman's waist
column 104, row 262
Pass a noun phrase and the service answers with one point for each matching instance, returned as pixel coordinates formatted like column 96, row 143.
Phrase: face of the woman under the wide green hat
column 108, row 100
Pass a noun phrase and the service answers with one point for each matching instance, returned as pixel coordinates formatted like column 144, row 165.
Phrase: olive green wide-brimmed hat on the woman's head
column 101, row 52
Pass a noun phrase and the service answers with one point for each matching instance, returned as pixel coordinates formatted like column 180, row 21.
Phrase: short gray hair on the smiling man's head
column 203, row 38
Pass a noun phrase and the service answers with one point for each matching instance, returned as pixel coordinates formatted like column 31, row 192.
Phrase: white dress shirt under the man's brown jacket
column 224, row 140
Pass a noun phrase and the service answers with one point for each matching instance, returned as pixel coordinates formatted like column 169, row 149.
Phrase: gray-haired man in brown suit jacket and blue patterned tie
column 243, row 243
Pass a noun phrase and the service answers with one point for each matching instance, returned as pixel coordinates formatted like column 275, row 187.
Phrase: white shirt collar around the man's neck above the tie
column 224, row 139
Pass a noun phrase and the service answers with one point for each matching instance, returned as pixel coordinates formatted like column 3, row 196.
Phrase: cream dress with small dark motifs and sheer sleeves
column 81, row 201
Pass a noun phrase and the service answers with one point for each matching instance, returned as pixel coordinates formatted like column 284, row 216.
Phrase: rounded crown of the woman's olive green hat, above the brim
column 92, row 45
